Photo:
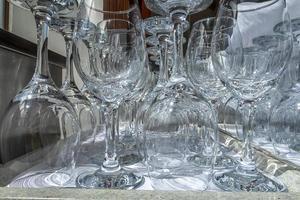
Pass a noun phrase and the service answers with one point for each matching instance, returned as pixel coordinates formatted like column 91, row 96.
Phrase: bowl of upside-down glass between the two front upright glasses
column 175, row 123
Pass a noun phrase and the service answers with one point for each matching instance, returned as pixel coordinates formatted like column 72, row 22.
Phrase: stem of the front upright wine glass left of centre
column 111, row 163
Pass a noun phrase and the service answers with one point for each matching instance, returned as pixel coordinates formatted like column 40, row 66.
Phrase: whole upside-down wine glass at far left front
column 40, row 120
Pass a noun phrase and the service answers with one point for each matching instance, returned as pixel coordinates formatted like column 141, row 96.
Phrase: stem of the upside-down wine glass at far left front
column 42, row 20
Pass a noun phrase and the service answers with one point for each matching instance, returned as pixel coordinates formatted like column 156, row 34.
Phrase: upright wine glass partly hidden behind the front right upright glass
column 203, row 76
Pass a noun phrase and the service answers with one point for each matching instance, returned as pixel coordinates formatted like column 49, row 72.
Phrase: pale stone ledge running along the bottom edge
column 55, row 193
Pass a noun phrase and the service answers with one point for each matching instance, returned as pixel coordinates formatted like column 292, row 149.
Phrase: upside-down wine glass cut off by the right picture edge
column 285, row 118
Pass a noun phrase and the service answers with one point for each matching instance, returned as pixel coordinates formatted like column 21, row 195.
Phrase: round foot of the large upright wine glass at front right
column 240, row 181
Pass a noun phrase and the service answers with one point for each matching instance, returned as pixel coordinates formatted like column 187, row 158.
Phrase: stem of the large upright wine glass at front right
column 247, row 162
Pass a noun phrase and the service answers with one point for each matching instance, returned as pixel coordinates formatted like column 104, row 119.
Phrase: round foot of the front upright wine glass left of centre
column 113, row 180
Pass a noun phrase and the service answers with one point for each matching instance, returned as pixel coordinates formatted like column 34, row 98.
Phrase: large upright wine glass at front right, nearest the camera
column 246, row 71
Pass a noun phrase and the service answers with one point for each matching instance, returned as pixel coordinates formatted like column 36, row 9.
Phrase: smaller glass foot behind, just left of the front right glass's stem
column 221, row 162
